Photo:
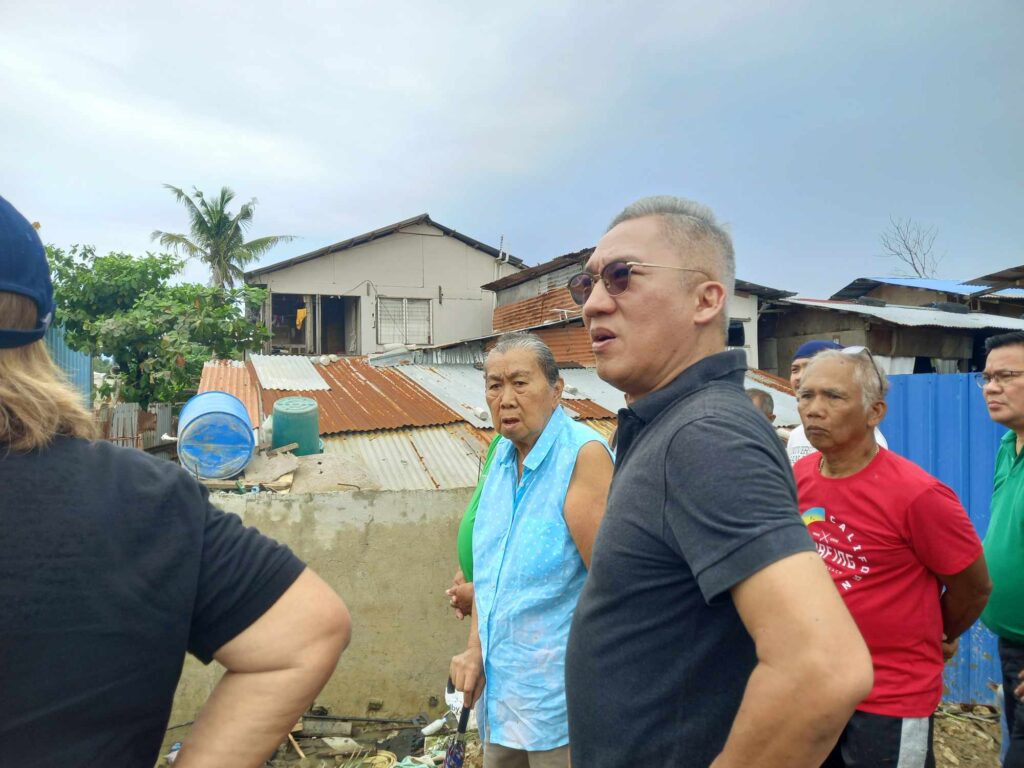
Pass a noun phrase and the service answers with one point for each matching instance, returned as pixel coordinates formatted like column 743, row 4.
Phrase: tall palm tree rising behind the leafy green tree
column 218, row 237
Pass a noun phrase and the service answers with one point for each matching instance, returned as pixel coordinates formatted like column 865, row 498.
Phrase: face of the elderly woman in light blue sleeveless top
column 520, row 397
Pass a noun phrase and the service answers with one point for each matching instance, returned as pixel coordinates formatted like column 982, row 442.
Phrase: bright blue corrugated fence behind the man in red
column 940, row 421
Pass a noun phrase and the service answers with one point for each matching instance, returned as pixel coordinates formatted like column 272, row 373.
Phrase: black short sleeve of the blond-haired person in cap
column 242, row 574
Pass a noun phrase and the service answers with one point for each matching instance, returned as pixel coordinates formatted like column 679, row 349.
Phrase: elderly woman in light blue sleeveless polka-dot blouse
column 539, row 514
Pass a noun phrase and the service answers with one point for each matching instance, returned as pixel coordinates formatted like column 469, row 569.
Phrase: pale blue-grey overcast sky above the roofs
column 804, row 125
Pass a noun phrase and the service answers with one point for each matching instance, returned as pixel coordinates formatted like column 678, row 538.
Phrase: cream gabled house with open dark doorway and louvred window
column 413, row 283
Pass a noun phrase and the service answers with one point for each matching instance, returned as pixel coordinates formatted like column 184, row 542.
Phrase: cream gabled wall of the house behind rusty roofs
column 413, row 264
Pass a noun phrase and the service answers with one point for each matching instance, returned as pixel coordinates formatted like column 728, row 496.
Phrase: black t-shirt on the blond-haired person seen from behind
column 113, row 566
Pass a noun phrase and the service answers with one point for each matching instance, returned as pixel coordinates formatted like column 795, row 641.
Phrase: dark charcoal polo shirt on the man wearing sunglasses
column 702, row 498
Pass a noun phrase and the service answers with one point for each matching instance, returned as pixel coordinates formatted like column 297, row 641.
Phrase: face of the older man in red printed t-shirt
column 832, row 407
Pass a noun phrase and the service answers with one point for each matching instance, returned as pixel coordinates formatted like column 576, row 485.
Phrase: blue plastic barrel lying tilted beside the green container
column 216, row 437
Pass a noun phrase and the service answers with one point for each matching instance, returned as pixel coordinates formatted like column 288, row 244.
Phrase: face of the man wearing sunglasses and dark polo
column 644, row 337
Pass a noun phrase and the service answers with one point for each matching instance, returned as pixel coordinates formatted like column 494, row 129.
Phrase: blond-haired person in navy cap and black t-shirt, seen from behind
column 114, row 565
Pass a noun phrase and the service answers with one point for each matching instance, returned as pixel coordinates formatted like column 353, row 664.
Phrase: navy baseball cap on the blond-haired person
column 24, row 271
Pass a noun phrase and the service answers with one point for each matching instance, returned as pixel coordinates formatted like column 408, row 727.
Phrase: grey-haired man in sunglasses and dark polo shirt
column 709, row 631
